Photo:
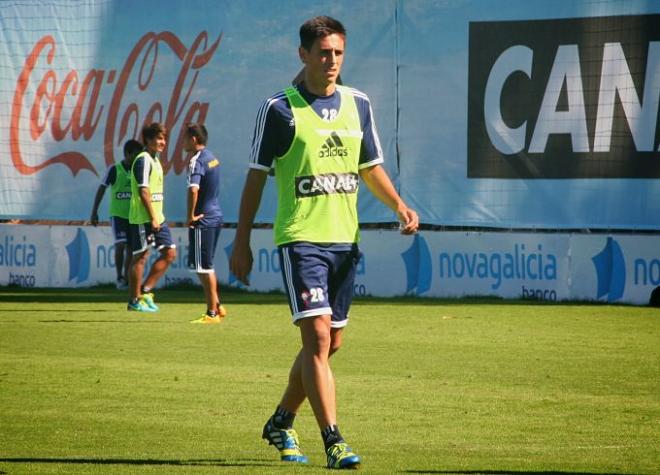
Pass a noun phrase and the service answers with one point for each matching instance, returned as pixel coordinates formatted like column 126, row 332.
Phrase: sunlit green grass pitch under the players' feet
column 424, row 386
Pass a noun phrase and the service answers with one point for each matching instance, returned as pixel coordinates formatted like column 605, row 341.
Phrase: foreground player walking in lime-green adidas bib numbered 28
column 319, row 137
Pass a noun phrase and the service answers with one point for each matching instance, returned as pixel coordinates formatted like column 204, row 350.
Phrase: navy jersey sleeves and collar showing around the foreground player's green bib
column 275, row 127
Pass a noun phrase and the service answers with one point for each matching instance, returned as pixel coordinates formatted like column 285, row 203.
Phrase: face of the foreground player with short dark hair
column 323, row 61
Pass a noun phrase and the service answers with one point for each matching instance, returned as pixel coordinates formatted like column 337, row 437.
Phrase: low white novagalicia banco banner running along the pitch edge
column 538, row 266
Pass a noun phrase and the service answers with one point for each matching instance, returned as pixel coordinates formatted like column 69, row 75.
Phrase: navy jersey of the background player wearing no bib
column 204, row 173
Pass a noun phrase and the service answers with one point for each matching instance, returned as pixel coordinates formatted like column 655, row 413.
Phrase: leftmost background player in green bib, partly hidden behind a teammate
column 118, row 179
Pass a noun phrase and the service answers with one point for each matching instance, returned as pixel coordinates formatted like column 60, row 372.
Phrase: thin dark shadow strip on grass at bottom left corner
column 154, row 462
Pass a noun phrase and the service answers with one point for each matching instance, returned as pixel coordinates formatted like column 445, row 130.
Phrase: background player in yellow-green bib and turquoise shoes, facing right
column 147, row 221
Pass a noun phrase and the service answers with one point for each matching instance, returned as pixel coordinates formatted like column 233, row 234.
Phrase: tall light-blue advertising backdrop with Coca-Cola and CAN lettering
column 496, row 114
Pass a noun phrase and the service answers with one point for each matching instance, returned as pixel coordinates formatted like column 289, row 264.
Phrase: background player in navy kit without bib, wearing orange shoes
column 204, row 217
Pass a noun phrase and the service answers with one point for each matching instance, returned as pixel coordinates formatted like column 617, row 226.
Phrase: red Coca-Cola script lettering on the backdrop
column 69, row 108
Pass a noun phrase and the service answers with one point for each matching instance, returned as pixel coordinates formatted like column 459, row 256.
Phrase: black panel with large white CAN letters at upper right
column 569, row 98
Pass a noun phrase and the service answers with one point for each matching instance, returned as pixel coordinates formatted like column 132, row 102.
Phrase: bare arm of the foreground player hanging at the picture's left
column 241, row 259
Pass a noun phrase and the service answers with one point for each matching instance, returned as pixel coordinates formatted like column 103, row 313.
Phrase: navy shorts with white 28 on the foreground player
column 319, row 280
